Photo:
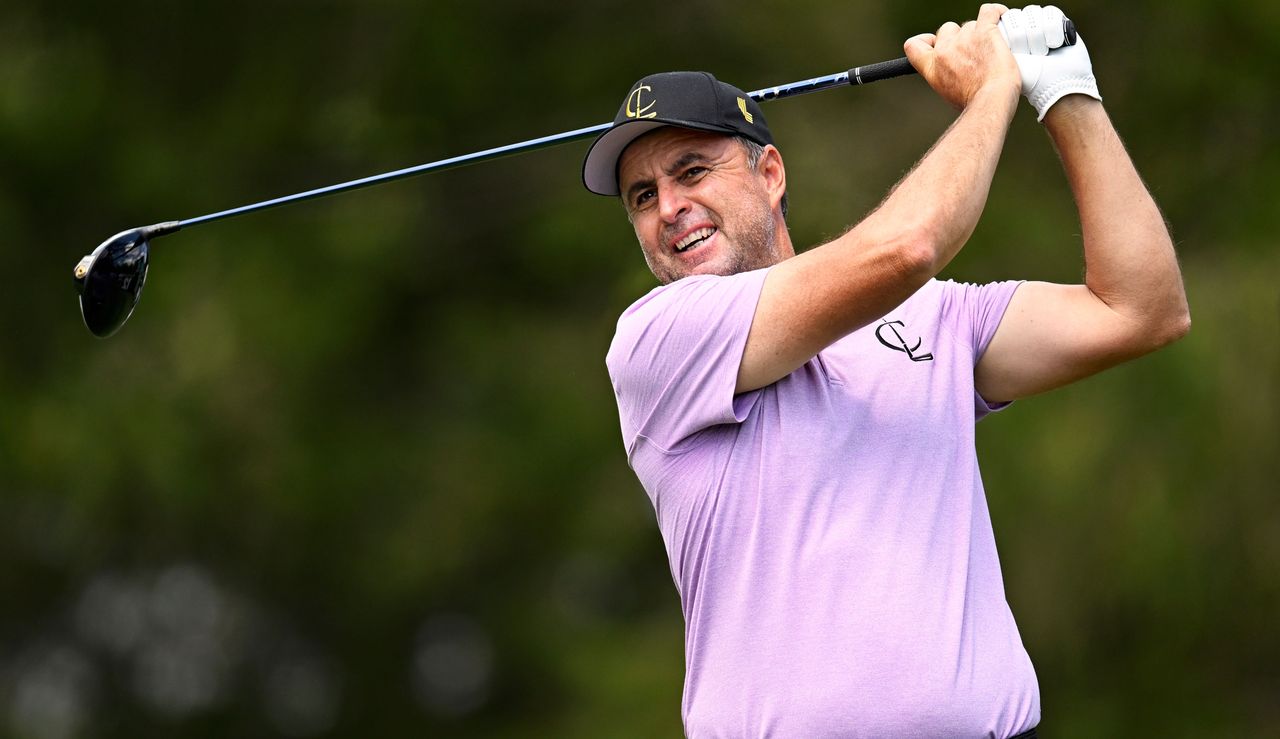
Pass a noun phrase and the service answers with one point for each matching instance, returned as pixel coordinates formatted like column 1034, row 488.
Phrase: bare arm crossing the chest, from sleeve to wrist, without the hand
column 828, row 293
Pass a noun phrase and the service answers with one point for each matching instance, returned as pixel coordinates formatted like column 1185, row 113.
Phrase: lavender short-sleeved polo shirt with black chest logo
column 829, row 535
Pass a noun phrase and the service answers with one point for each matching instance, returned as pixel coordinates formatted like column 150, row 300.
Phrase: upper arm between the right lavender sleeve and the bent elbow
column 1050, row 336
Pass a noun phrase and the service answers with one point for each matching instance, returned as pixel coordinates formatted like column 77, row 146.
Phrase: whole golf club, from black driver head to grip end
column 111, row 279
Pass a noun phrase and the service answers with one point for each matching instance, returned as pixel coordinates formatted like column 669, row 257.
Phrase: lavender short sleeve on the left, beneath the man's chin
column 675, row 358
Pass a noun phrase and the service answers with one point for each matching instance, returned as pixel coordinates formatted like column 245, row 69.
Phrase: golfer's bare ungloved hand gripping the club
column 959, row 62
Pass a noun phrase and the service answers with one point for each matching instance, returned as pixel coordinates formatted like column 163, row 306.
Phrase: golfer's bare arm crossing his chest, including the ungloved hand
column 812, row 300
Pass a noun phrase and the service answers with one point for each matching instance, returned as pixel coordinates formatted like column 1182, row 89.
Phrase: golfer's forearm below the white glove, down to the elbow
column 1130, row 257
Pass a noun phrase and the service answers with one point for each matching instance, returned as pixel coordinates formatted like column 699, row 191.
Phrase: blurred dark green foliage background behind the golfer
column 354, row 467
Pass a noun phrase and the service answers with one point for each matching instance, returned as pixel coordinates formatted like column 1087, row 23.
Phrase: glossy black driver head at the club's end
column 111, row 281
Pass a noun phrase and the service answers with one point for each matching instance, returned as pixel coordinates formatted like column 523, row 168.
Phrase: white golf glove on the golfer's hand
column 1050, row 70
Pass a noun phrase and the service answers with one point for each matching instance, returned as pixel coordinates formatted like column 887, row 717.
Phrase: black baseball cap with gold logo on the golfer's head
column 685, row 99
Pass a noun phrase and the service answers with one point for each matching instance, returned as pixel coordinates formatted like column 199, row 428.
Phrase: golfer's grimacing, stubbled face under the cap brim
column 697, row 204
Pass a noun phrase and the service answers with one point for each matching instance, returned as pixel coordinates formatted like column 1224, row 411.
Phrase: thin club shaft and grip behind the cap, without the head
column 857, row 76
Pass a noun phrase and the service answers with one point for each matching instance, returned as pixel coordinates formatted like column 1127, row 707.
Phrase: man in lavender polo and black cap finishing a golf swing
column 804, row 425
